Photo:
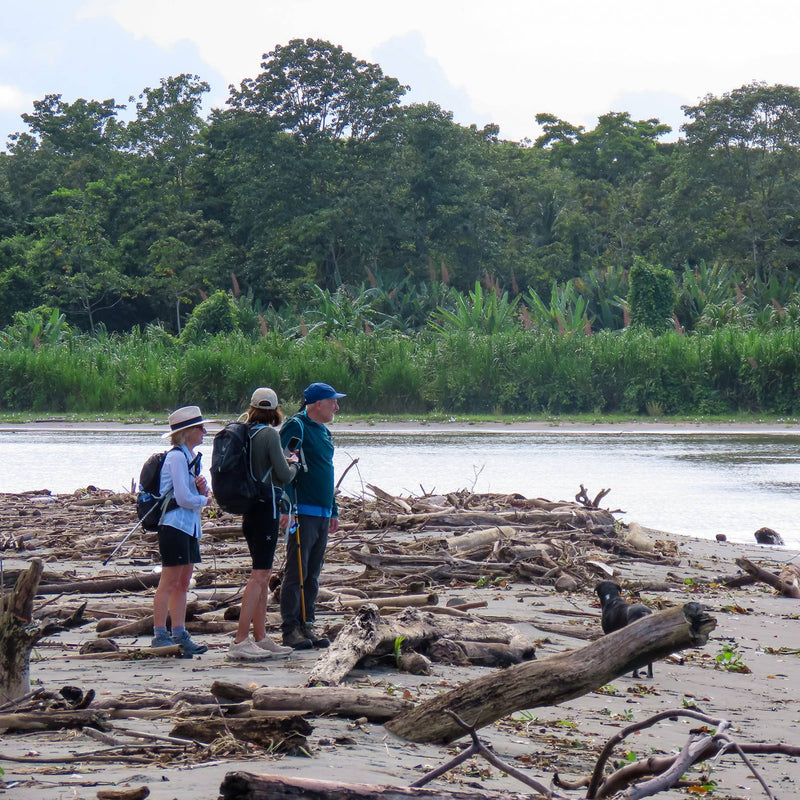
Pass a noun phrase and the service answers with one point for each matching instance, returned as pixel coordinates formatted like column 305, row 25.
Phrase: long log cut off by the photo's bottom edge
column 249, row 786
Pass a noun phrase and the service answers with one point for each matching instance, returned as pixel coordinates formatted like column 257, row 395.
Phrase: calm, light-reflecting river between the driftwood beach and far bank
column 683, row 481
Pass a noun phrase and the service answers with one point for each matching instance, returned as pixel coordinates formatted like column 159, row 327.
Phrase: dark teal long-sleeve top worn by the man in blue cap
column 313, row 488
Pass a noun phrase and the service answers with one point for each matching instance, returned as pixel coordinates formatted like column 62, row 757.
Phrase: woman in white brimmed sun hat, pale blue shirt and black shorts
column 179, row 529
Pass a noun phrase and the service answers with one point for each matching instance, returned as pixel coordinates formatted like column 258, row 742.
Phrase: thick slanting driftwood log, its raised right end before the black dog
column 557, row 678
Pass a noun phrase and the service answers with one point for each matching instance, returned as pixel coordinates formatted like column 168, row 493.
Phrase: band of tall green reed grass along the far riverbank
column 730, row 370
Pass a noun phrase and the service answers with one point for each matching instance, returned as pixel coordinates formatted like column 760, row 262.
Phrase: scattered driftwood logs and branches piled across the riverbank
column 385, row 569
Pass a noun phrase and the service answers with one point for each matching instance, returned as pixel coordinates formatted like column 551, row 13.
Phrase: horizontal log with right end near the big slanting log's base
column 341, row 702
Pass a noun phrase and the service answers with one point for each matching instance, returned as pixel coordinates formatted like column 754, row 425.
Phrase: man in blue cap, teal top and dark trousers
column 314, row 503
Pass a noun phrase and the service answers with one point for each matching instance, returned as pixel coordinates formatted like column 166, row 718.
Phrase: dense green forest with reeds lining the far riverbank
column 317, row 207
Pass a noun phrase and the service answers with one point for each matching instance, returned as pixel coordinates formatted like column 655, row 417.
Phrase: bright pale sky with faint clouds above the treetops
column 486, row 61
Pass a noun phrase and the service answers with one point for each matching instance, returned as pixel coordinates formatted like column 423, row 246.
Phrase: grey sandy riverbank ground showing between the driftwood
column 762, row 631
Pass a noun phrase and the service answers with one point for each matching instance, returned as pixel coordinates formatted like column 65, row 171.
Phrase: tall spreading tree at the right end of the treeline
column 743, row 172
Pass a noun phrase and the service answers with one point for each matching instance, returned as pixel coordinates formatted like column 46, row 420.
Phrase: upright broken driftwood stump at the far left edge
column 17, row 635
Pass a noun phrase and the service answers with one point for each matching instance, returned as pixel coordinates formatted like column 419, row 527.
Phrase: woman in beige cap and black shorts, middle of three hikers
column 260, row 525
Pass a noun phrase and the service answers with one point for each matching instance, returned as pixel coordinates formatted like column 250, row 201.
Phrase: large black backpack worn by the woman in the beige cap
column 232, row 482
